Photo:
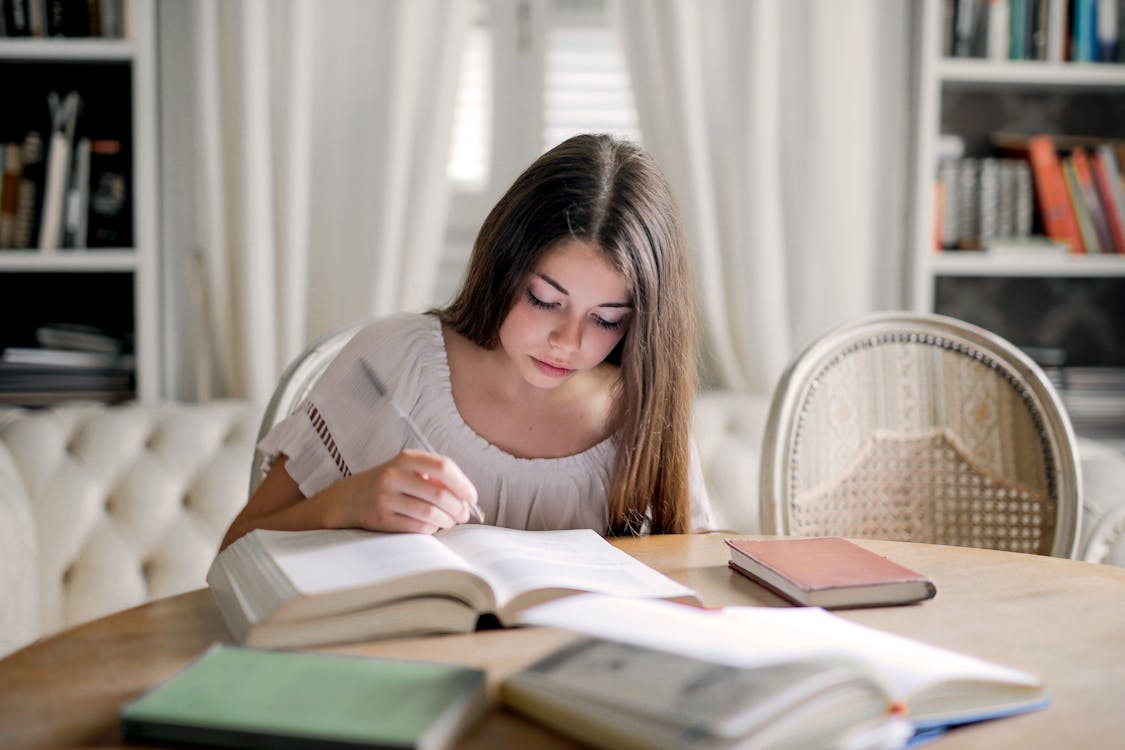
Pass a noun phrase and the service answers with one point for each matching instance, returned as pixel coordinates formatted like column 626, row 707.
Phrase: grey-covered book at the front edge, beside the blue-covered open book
column 620, row 695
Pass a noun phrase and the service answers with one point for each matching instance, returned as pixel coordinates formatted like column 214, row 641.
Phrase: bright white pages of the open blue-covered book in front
column 748, row 637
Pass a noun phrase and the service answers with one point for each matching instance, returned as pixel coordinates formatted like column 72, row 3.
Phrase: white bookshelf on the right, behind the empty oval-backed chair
column 1054, row 304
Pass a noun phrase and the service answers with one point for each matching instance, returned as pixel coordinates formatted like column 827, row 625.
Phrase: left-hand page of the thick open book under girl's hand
column 320, row 562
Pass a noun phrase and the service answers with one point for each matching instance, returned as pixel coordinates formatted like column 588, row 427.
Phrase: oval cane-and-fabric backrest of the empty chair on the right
column 921, row 428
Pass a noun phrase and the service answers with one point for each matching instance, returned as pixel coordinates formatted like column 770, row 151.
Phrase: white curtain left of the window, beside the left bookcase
column 317, row 141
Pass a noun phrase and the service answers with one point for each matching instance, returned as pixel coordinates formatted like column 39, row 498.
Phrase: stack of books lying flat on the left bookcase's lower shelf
column 71, row 363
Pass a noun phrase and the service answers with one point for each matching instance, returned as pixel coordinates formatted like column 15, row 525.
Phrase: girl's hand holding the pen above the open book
column 415, row 492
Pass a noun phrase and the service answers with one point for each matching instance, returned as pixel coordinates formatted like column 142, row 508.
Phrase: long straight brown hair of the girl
column 609, row 193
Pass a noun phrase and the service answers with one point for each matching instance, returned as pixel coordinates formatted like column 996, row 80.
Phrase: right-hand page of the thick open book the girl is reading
column 518, row 563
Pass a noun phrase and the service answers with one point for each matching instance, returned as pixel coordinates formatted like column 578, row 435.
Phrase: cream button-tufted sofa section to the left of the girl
column 105, row 509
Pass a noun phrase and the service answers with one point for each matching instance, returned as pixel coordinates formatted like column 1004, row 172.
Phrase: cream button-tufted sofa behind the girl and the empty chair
column 106, row 508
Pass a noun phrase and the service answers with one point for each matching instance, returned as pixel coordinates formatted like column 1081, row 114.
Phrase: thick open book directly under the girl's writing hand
column 301, row 589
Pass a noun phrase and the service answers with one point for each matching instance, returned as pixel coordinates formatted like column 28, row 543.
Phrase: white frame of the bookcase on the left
column 33, row 269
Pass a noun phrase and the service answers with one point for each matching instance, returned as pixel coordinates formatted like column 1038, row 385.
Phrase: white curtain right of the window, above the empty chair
column 781, row 125
